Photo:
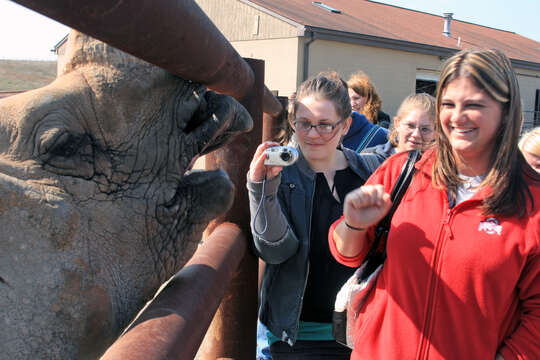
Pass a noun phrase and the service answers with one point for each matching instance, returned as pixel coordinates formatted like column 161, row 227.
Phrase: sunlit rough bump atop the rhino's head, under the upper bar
column 82, row 49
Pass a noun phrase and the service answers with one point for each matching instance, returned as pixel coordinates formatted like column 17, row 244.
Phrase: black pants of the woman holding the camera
column 310, row 350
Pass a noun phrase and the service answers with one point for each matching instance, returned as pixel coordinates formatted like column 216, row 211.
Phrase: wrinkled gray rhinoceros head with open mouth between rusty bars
column 96, row 210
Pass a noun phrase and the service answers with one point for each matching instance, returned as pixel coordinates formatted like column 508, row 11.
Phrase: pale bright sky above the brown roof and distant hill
column 25, row 34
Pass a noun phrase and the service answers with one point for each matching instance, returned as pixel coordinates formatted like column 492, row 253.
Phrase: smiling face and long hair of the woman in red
column 479, row 110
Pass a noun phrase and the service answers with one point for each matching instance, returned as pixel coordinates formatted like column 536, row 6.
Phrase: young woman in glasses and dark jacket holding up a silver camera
column 292, row 209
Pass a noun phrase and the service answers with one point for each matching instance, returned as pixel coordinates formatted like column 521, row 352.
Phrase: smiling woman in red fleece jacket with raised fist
column 462, row 274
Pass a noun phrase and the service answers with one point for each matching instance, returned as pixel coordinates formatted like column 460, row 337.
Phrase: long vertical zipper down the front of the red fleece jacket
column 426, row 330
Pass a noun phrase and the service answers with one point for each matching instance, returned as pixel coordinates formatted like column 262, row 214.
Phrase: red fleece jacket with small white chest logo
column 456, row 284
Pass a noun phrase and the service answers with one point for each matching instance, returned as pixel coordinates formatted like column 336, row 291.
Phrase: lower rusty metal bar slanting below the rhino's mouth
column 173, row 324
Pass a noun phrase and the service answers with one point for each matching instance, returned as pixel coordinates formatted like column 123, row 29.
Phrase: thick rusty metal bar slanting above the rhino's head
column 175, row 35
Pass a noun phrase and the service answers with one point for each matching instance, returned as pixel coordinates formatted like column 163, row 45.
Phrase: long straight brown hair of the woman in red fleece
column 491, row 71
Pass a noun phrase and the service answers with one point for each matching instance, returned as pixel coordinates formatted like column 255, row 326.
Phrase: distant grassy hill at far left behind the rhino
column 16, row 75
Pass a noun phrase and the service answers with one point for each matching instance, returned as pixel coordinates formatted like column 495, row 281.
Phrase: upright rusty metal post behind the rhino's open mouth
column 233, row 330
